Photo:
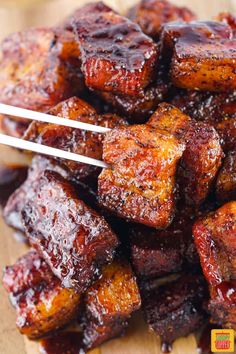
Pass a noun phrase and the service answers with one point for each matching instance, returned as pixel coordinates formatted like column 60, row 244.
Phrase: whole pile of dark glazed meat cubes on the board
column 155, row 230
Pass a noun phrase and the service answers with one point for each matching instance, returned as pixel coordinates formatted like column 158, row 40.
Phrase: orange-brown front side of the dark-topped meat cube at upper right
column 205, row 66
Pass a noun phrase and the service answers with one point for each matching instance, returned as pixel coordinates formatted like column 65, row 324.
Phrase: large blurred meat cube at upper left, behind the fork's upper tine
column 38, row 84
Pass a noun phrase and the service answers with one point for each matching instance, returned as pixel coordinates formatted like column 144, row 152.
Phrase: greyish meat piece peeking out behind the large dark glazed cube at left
column 16, row 202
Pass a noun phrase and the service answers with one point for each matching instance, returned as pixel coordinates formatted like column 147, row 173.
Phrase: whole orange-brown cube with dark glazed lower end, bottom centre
column 109, row 303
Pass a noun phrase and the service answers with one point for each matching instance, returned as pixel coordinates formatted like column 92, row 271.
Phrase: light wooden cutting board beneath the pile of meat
column 137, row 340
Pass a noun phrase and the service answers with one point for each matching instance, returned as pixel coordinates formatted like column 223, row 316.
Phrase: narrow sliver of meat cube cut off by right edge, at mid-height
column 226, row 181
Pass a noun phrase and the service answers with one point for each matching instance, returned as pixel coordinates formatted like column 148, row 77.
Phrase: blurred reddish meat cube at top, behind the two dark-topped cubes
column 151, row 15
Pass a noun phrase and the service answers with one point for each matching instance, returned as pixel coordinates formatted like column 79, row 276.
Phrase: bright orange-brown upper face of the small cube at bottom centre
column 115, row 296
